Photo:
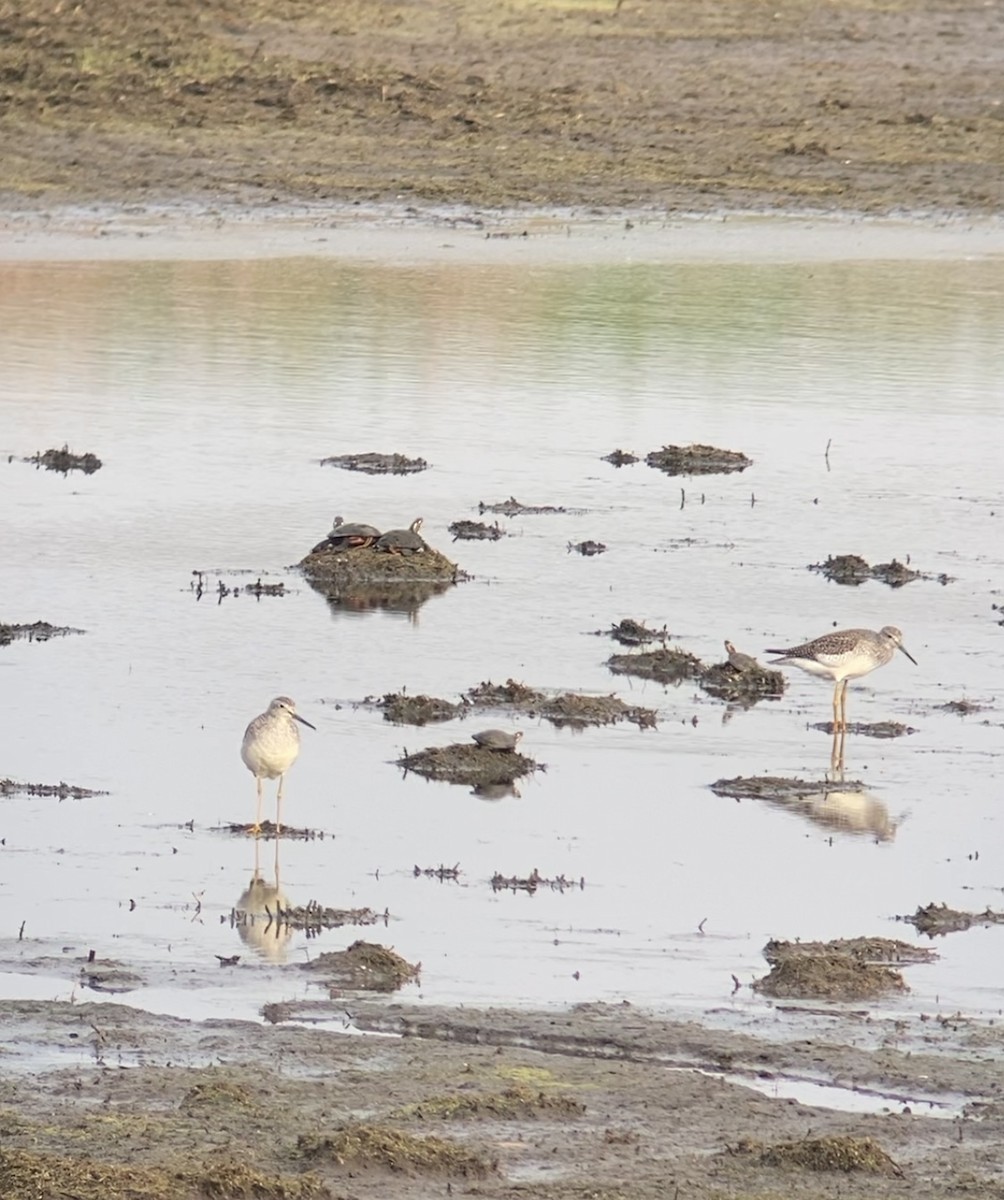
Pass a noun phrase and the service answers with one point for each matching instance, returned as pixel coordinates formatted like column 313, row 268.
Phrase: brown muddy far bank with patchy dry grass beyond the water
column 728, row 105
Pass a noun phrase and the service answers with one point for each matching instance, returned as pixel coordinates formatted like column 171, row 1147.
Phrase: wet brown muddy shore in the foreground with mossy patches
column 612, row 1103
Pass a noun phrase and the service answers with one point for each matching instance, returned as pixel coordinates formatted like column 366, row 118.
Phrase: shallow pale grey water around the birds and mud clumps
column 212, row 389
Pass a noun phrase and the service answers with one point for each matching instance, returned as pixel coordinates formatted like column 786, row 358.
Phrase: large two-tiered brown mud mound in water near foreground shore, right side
column 855, row 969
